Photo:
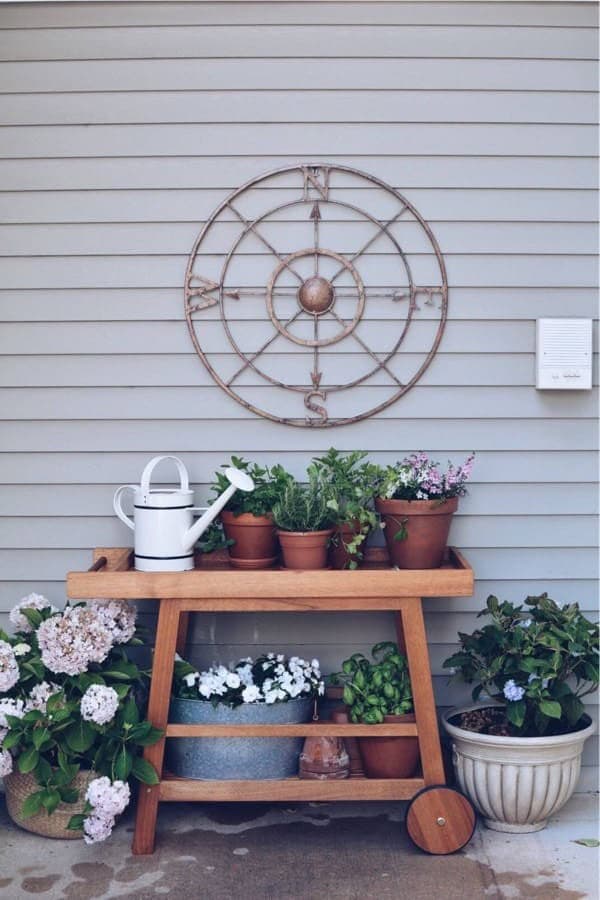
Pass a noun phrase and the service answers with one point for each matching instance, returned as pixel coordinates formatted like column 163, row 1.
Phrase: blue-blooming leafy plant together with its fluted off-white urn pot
column 517, row 755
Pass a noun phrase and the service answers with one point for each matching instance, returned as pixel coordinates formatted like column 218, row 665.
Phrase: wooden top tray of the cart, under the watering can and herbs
column 215, row 585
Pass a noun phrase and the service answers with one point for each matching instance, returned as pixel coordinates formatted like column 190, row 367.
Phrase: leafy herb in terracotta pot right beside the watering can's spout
column 247, row 519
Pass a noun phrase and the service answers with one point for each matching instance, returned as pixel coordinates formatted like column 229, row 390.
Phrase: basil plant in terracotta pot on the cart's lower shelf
column 375, row 692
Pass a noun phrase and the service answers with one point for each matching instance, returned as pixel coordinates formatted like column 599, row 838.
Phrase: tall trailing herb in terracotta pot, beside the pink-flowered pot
column 354, row 486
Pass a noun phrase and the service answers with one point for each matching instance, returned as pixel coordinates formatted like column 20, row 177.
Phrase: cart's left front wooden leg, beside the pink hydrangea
column 158, row 713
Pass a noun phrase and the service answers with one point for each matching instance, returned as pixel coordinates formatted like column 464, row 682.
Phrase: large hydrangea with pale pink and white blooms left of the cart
column 70, row 701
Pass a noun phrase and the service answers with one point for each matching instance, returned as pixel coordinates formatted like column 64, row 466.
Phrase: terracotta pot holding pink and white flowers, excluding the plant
column 426, row 523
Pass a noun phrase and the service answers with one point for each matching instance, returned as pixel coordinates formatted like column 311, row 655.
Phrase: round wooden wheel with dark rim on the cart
column 440, row 820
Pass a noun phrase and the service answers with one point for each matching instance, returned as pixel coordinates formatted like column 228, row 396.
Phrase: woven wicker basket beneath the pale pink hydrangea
column 18, row 787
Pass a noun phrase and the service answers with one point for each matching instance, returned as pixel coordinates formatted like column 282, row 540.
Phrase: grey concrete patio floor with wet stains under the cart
column 337, row 851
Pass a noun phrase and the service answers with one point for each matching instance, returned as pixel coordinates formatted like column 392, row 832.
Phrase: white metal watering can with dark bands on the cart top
column 163, row 520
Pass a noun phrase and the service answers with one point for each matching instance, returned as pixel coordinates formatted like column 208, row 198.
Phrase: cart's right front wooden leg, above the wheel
column 410, row 624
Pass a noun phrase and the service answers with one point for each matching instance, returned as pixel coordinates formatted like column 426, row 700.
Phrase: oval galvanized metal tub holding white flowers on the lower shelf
column 227, row 759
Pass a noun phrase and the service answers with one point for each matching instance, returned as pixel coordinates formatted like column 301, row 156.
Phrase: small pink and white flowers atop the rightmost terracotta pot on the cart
column 417, row 477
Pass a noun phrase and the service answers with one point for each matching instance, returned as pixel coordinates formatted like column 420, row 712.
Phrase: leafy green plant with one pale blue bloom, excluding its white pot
column 538, row 661
